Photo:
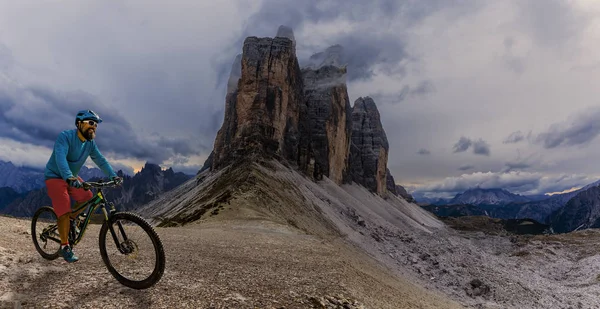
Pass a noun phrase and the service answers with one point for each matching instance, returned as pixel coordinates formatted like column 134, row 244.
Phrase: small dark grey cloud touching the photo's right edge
column 580, row 130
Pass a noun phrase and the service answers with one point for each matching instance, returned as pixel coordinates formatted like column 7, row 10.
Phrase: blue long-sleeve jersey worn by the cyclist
column 69, row 155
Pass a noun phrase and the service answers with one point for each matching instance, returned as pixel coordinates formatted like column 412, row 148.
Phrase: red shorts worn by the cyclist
column 59, row 192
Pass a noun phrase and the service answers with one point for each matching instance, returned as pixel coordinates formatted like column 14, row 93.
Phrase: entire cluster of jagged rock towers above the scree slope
column 302, row 116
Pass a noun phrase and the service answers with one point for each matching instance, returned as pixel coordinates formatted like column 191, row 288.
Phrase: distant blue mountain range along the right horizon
column 564, row 212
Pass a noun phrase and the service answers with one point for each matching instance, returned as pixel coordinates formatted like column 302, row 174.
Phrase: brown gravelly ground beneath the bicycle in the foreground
column 229, row 264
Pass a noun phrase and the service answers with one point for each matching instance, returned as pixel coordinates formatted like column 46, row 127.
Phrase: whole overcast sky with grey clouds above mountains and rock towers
column 471, row 93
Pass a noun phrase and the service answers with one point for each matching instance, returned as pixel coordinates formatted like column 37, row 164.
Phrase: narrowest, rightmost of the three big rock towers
column 369, row 149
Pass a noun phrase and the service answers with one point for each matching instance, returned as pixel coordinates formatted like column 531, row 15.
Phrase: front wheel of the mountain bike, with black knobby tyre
column 132, row 250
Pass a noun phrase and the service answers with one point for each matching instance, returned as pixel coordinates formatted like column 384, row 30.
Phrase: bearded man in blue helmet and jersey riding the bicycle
column 71, row 150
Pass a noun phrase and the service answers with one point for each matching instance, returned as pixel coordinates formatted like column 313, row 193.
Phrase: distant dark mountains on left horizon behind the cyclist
column 136, row 191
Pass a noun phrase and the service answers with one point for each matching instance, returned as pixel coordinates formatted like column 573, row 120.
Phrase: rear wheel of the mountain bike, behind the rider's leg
column 44, row 232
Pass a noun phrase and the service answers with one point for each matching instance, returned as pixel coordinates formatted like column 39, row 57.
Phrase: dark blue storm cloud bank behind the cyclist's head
column 36, row 115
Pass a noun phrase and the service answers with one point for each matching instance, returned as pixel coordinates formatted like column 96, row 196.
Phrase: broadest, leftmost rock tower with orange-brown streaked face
column 262, row 114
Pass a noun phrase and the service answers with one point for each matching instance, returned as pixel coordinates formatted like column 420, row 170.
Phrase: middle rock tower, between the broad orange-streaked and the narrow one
column 326, row 125
